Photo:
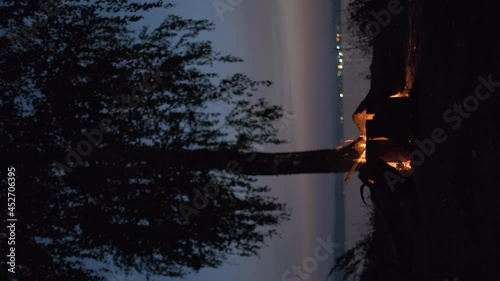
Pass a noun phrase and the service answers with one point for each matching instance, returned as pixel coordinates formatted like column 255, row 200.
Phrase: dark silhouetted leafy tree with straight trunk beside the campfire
column 118, row 150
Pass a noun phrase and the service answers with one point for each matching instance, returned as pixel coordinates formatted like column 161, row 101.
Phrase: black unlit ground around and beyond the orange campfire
column 450, row 228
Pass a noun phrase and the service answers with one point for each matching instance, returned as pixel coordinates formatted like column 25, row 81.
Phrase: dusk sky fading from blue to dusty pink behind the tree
column 290, row 42
